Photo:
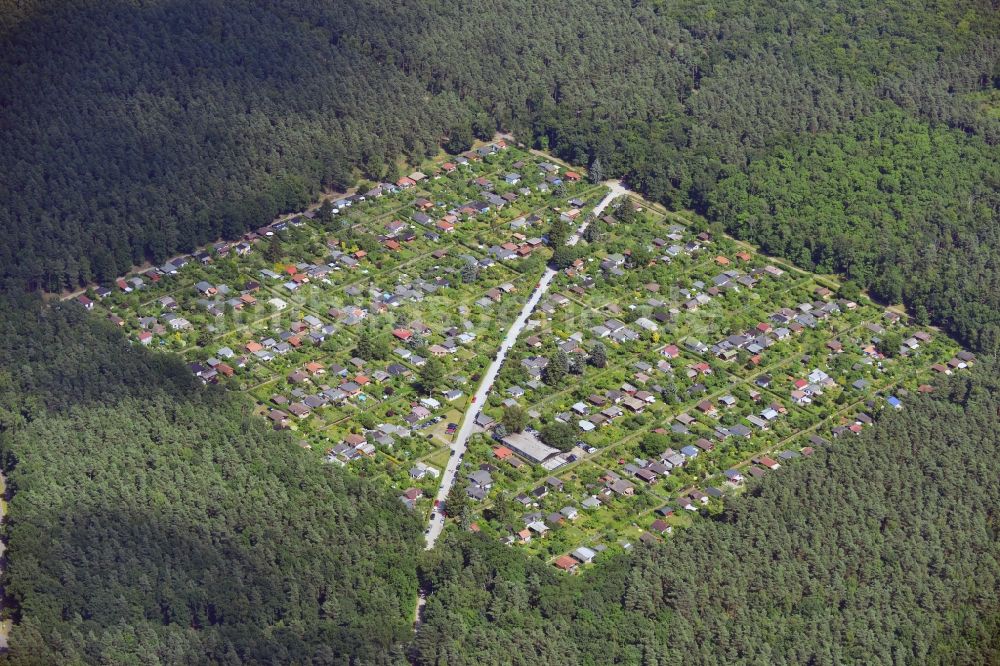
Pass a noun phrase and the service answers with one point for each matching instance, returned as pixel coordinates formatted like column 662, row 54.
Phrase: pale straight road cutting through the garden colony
column 458, row 447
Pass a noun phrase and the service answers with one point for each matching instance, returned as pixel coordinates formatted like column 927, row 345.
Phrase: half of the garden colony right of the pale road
column 668, row 383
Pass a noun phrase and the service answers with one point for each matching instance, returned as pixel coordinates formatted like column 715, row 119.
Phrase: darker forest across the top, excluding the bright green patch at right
column 135, row 129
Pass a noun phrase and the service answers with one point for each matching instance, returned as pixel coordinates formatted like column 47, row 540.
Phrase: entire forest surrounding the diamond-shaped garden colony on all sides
column 157, row 522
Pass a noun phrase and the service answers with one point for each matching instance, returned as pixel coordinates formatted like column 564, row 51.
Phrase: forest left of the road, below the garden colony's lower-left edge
column 156, row 522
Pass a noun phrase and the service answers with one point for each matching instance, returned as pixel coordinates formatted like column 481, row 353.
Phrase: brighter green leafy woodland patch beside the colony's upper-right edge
column 908, row 211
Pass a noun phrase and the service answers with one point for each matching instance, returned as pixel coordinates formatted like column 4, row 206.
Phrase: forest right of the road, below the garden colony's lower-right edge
column 883, row 551
